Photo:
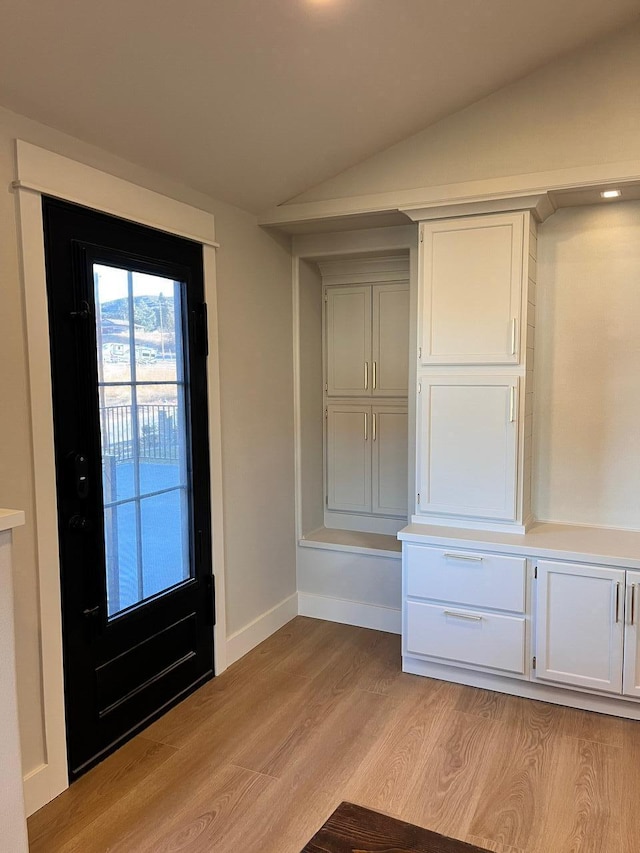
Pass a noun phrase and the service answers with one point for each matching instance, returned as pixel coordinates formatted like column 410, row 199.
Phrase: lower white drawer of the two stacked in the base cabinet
column 464, row 636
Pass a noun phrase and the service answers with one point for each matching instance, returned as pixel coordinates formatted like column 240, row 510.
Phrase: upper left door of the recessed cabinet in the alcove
column 348, row 326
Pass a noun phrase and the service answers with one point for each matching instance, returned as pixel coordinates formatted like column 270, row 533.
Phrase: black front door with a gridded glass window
column 128, row 347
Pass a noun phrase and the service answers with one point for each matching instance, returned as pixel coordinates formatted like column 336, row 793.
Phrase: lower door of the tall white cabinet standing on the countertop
column 467, row 446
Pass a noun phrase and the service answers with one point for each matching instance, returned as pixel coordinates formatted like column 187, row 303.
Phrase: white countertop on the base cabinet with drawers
column 556, row 541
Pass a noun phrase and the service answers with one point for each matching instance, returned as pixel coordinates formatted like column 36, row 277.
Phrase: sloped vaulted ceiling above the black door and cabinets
column 254, row 101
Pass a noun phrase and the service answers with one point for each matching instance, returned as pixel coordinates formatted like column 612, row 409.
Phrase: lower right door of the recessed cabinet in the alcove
column 389, row 460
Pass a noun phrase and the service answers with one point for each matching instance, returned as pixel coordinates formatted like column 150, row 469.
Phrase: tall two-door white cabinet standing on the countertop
column 475, row 369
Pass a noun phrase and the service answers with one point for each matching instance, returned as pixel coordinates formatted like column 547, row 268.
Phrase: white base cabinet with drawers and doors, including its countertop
column 531, row 615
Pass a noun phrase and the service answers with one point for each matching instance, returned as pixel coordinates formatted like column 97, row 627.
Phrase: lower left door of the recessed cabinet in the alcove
column 349, row 458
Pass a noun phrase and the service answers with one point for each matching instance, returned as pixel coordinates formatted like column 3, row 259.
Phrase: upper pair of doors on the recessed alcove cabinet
column 367, row 340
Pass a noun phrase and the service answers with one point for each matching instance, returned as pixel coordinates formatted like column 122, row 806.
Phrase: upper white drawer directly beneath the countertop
column 478, row 580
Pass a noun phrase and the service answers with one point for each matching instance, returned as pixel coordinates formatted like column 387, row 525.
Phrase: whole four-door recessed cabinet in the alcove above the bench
column 366, row 325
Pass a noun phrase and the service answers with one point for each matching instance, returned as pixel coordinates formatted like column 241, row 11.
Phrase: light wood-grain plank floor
column 256, row 760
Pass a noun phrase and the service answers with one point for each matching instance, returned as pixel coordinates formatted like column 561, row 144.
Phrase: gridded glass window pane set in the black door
column 143, row 423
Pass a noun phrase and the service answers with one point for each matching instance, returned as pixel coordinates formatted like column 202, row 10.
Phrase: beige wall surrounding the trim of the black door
column 254, row 296
